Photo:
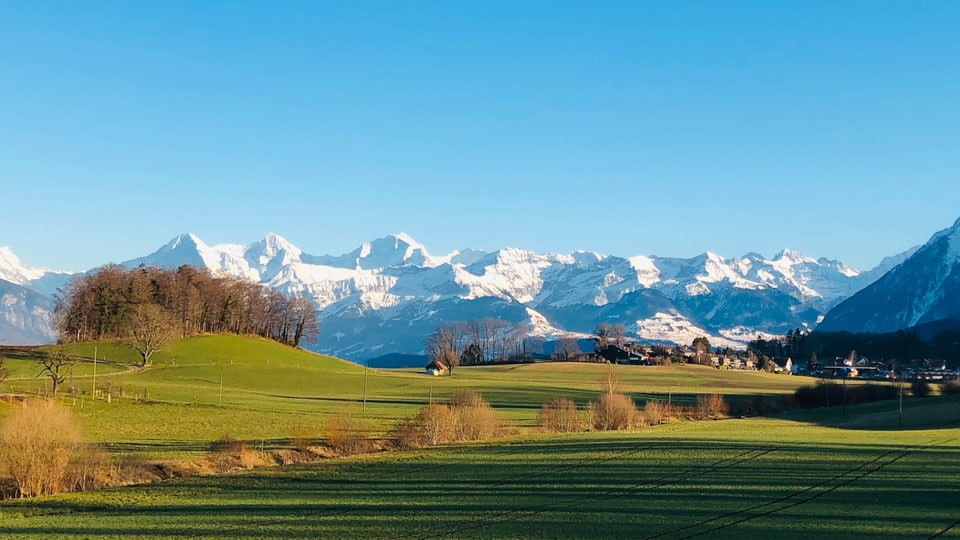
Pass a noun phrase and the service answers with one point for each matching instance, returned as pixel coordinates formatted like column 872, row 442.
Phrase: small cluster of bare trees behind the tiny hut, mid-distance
column 480, row 341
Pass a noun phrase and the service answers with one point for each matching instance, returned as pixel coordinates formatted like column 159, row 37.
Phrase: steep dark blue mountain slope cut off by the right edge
column 923, row 289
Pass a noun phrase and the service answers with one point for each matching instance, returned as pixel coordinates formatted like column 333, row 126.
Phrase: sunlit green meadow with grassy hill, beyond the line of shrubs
column 200, row 389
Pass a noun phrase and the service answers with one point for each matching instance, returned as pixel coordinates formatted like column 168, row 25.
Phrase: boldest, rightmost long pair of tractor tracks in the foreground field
column 798, row 497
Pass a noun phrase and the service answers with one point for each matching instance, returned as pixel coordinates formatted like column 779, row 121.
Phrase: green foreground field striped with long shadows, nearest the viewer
column 756, row 478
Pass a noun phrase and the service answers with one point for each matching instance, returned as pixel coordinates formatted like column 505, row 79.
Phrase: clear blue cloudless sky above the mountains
column 627, row 128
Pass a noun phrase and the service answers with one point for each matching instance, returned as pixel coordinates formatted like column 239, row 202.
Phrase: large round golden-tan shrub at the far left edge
column 38, row 445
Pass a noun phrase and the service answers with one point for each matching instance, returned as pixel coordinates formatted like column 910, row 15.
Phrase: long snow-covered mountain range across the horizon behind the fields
column 389, row 294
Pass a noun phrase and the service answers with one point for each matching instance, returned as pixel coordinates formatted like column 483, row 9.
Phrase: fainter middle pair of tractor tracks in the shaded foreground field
column 615, row 493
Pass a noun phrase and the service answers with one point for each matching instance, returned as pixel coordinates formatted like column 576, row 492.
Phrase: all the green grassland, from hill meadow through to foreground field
column 859, row 472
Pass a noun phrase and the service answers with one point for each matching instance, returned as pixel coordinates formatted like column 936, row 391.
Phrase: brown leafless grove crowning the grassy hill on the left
column 148, row 305
